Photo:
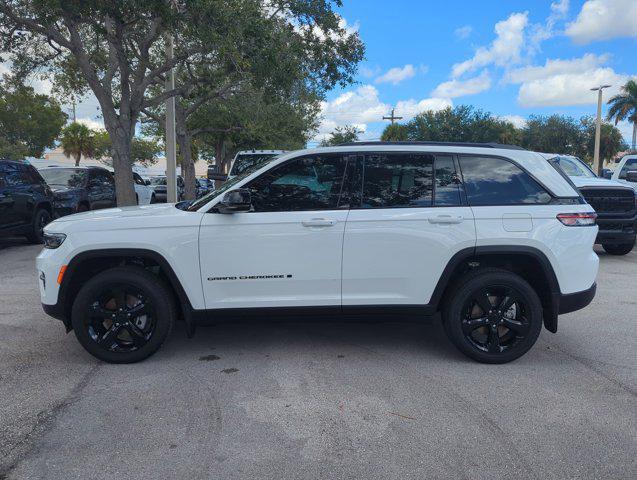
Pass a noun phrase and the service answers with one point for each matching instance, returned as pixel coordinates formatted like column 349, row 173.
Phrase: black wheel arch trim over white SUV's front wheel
column 85, row 264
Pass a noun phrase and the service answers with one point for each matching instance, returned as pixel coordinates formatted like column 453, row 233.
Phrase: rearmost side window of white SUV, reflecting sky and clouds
column 496, row 181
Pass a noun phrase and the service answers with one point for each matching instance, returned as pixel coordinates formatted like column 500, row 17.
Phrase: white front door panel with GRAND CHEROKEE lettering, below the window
column 272, row 259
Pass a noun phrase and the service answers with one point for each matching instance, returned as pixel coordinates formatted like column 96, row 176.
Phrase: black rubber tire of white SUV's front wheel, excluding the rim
column 154, row 291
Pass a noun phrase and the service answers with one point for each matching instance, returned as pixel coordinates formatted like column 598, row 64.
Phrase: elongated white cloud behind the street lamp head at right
column 569, row 88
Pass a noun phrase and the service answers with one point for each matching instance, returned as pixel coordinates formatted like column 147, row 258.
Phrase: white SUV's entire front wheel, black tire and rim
column 111, row 326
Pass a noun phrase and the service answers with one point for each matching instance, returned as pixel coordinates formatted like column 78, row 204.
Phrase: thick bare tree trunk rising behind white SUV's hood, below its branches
column 123, row 166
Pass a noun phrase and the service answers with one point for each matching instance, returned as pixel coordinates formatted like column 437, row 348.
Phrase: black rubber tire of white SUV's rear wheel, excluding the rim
column 454, row 312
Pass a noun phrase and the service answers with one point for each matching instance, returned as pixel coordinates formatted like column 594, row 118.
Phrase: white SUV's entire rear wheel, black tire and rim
column 505, row 333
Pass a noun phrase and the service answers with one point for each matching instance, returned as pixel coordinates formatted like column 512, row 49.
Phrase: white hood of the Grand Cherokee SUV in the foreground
column 126, row 218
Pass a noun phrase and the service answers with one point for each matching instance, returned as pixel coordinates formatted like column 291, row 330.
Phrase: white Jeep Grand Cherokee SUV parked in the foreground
column 492, row 236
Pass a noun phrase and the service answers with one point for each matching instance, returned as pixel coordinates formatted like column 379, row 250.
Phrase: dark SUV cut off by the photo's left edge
column 26, row 202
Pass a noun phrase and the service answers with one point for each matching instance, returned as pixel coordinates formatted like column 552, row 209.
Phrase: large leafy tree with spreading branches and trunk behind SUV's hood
column 118, row 49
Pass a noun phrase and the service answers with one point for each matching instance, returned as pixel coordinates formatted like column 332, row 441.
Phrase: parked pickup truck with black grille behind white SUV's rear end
column 614, row 203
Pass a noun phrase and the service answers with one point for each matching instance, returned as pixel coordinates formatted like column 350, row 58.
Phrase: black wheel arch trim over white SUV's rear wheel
column 528, row 262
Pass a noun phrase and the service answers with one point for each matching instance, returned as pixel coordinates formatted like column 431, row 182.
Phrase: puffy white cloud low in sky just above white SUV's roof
column 362, row 106
